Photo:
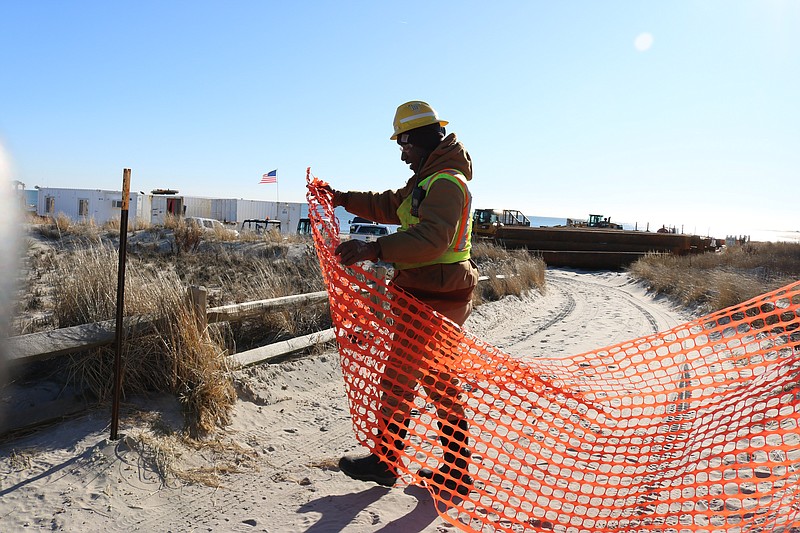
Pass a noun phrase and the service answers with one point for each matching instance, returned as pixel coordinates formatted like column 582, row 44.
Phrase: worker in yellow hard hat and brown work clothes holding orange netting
column 431, row 255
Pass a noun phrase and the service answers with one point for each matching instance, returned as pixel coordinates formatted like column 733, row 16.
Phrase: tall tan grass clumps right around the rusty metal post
column 170, row 354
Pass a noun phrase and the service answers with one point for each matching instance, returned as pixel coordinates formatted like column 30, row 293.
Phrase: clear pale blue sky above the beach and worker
column 563, row 114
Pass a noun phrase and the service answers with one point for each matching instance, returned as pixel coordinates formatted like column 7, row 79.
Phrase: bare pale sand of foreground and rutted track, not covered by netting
column 275, row 465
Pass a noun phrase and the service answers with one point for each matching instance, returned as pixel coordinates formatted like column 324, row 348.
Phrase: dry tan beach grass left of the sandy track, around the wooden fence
column 72, row 280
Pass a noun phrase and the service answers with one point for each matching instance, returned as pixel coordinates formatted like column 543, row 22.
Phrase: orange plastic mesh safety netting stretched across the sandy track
column 694, row 429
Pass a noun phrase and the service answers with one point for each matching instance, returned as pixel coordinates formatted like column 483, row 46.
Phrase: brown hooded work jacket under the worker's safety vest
column 445, row 287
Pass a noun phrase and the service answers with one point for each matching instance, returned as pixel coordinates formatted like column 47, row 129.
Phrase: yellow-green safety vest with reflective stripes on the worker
column 459, row 249
